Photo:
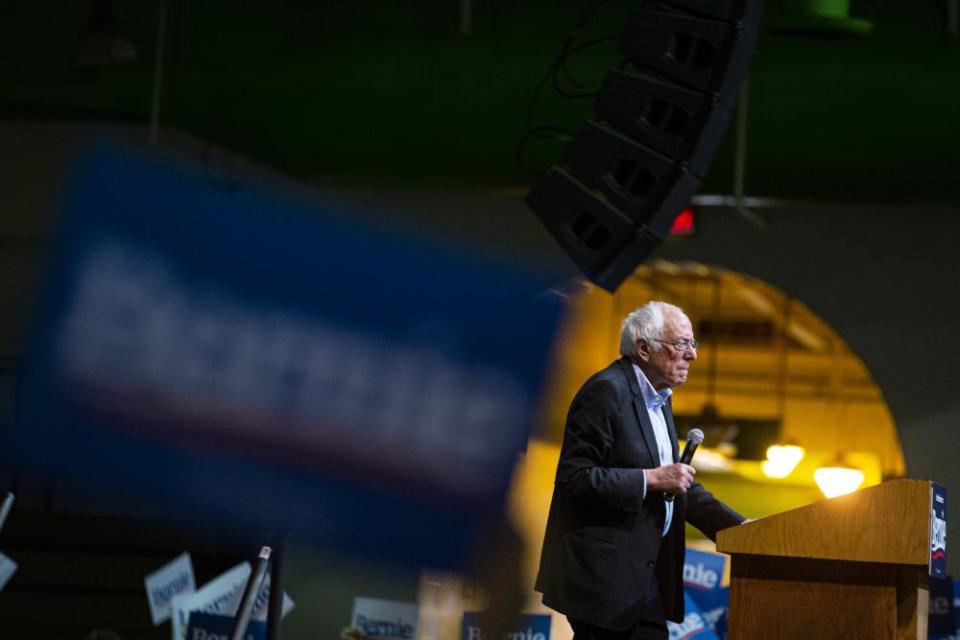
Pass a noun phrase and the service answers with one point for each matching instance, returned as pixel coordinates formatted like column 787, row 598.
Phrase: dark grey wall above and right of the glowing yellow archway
column 887, row 279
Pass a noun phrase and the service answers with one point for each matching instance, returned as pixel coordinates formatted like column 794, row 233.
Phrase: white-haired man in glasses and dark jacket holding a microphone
column 612, row 558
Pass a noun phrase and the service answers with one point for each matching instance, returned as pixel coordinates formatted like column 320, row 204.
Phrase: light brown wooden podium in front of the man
column 851, row 567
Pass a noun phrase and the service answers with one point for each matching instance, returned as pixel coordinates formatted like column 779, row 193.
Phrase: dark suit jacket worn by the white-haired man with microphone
column 603, row 540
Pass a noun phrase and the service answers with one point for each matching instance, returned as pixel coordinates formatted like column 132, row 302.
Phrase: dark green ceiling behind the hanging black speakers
column 369, row 92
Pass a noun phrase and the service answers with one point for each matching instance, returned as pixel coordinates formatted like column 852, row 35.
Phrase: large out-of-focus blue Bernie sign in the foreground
column 263, row 360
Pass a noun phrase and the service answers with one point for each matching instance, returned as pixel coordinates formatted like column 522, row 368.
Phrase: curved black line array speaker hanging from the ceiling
column 658, row 120
